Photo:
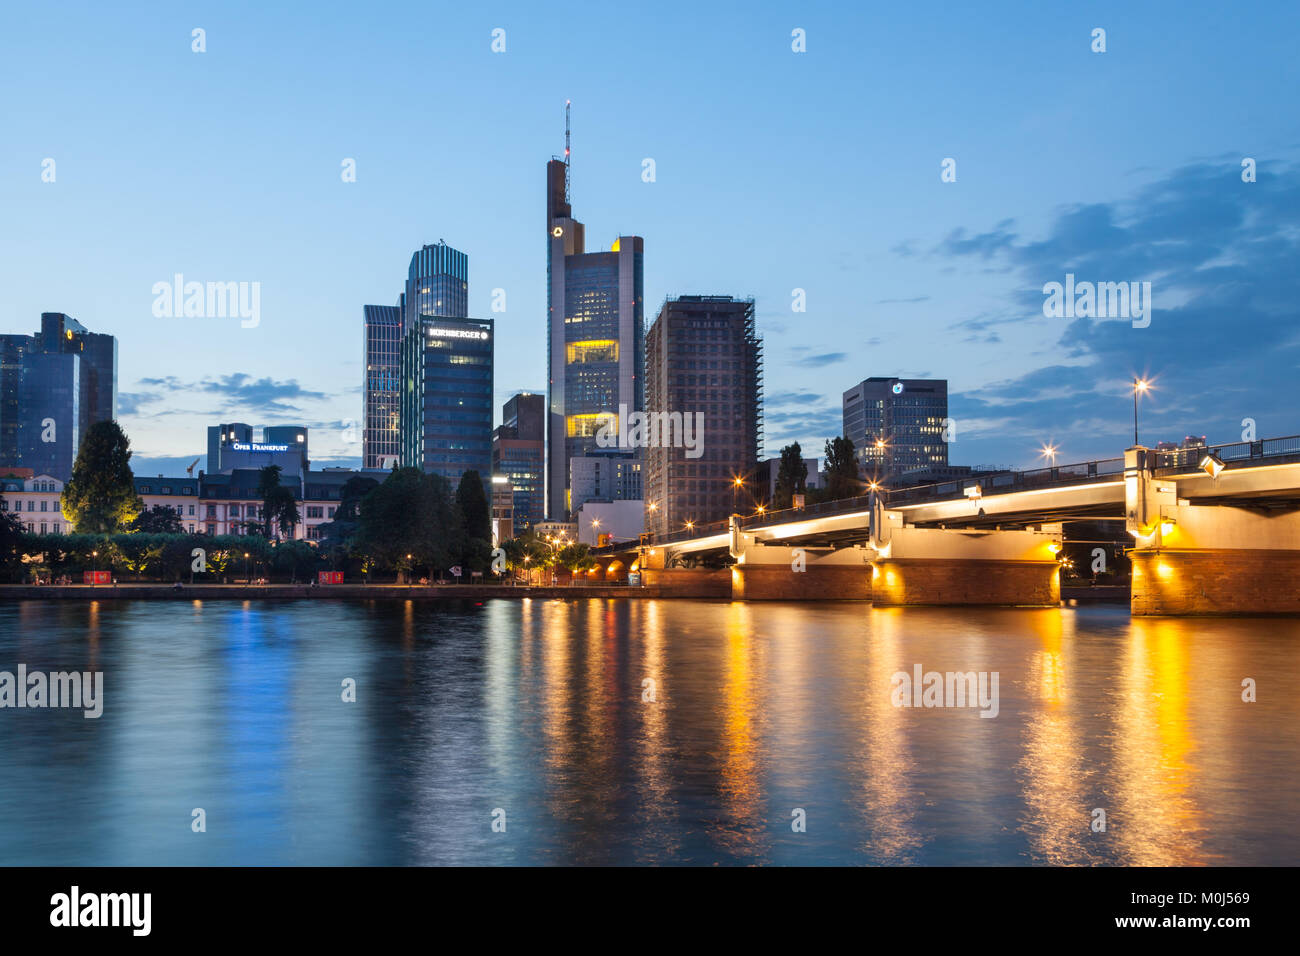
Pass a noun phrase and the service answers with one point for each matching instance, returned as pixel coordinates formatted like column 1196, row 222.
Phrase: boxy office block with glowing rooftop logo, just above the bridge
column 898, row 425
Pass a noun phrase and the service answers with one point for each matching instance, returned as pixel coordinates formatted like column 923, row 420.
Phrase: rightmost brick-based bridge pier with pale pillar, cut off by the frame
column 1207, row 559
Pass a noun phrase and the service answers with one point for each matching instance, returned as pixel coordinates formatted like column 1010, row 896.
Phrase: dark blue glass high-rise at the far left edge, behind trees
column 54, row 386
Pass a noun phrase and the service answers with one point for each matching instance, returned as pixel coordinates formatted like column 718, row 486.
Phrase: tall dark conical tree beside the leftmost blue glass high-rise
column 101, row 498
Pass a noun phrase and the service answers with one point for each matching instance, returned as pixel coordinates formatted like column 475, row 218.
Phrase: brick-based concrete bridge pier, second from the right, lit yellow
column 937, row 566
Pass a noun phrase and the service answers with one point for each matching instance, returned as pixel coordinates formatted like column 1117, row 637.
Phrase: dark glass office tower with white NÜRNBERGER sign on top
column 447, row 397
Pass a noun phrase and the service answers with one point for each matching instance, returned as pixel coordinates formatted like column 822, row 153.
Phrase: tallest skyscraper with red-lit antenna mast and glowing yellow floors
column 596, row 336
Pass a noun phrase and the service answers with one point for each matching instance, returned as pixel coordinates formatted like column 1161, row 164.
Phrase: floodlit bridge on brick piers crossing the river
column 1216, row 530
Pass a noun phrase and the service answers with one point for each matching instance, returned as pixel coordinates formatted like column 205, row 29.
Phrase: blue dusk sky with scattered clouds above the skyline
column 774, row 171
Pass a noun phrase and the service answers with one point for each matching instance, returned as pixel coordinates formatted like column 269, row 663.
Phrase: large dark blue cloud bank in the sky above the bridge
column 1224, row 343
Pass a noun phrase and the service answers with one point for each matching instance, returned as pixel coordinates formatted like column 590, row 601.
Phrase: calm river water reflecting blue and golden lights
column 525, row 732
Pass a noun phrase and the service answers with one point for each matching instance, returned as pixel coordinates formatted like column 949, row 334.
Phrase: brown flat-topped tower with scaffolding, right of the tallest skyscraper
column 705, row 364
